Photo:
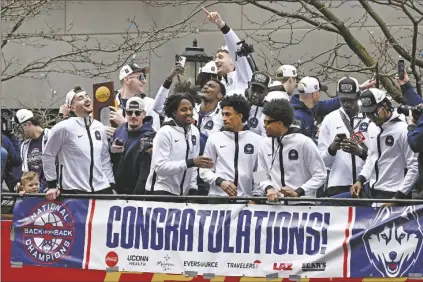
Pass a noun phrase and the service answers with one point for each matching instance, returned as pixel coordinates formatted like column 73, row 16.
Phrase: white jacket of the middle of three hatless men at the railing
column 235, row 159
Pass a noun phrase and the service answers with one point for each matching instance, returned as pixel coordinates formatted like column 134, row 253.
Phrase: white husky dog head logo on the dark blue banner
column 394, row 241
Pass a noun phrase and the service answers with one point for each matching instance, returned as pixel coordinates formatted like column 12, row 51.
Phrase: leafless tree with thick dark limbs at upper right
column 350, row 55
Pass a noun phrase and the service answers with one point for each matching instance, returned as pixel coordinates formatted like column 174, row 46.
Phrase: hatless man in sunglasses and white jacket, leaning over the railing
column 291, row 161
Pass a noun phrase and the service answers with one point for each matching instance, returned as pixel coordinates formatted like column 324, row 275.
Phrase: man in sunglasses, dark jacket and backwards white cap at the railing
column 129, row 153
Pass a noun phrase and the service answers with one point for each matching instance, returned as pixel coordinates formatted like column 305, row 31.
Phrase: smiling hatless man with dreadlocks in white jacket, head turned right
column 176, row 149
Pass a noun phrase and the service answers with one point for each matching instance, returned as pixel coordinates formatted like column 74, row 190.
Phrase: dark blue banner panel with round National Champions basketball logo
column 49, row 233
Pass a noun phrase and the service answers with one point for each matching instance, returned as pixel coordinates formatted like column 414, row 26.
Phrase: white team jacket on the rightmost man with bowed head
column 388, row 157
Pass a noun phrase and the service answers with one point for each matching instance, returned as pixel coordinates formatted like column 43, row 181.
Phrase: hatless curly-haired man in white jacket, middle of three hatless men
column 233, row 151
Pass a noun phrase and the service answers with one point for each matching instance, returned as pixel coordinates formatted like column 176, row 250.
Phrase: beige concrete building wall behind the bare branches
column 104, row 21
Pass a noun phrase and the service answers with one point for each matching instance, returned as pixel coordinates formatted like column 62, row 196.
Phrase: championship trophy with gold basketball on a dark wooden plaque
column 104, row 102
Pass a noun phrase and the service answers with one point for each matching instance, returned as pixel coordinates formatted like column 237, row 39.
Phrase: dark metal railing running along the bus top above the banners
column 8, row 196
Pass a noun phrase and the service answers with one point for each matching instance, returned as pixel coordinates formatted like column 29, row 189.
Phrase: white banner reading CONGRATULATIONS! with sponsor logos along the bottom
column 225, row 240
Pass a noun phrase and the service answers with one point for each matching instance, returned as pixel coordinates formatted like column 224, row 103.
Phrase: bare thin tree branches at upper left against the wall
column 86, row 56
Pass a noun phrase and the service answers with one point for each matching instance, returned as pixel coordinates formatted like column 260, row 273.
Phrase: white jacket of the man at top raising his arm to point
column 239, row 78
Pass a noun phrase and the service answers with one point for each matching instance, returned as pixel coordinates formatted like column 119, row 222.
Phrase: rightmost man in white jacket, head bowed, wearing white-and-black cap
column 389, row 153
